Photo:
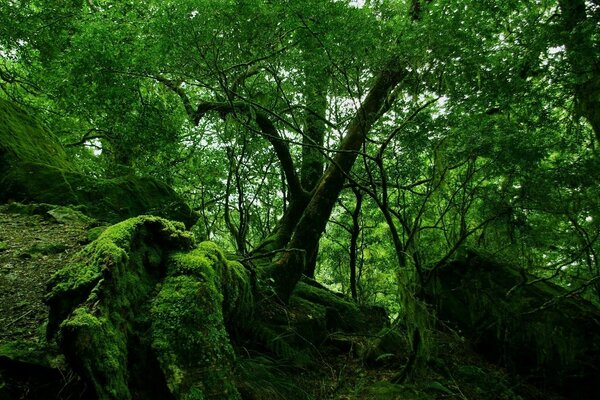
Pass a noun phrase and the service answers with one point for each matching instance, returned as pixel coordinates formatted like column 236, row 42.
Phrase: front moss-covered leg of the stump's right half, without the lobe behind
column 190, row 339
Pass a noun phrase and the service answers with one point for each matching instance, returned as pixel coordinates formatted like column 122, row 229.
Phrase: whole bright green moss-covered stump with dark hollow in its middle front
column 143, row 314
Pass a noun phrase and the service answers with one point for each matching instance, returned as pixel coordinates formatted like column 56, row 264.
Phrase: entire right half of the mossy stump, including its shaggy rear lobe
column 188, row 314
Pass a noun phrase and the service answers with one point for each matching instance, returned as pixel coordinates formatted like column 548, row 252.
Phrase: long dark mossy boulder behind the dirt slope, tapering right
column 34, row 168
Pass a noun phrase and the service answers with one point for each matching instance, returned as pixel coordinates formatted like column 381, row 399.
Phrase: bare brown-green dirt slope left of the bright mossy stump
column 32, row 248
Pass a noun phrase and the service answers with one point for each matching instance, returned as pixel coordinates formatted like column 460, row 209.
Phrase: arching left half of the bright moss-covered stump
column 98, row 301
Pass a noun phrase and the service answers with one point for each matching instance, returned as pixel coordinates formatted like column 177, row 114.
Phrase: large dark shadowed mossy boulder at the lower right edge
column 530, row 326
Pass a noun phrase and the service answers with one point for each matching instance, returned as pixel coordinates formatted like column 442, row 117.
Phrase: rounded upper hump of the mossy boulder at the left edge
column 23, row 138
